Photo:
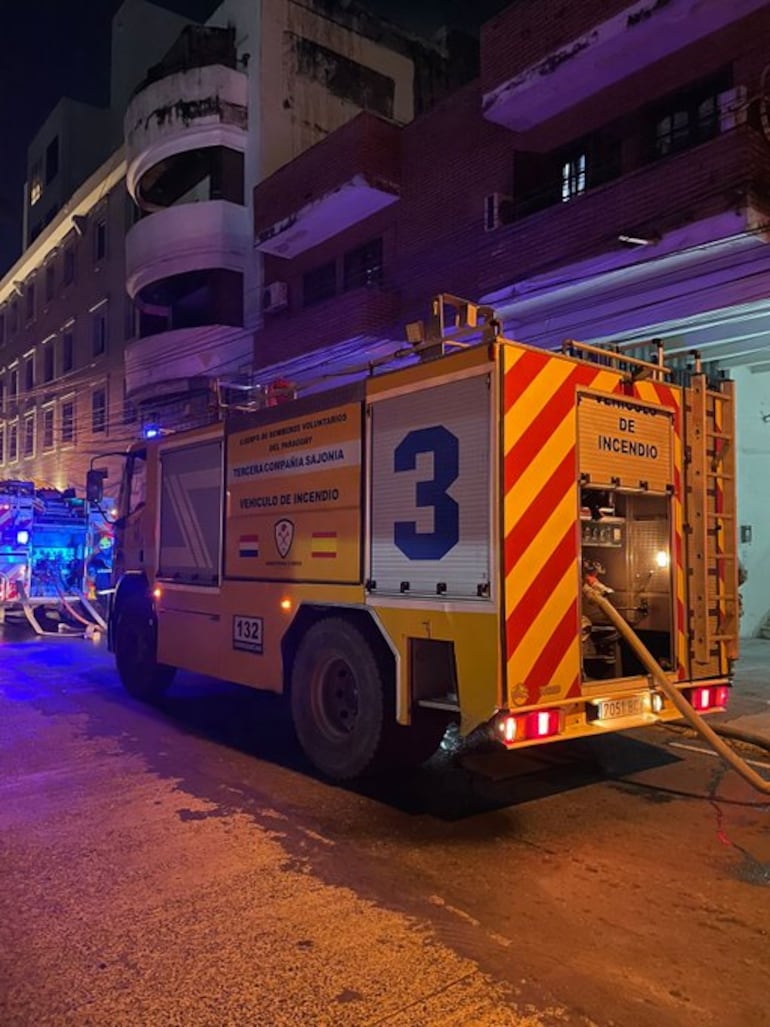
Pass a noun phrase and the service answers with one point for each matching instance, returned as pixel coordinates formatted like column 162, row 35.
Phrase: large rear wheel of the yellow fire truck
column 340, row 701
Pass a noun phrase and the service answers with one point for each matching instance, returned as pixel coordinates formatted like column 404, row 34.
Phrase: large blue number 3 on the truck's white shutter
column 446, row 535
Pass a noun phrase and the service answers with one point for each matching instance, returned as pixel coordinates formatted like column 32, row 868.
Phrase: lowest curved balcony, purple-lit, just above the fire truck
column 166, row 364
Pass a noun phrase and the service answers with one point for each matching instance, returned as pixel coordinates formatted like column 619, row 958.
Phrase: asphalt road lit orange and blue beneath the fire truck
column 181, row 865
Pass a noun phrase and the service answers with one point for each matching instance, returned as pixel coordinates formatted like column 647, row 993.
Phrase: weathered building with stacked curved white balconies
column 230, row 104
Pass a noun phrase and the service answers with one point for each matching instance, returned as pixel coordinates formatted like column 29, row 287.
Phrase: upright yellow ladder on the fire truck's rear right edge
column 711, row 519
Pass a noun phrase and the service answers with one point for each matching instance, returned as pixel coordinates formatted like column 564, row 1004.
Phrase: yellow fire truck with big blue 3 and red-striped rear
column 420, row 547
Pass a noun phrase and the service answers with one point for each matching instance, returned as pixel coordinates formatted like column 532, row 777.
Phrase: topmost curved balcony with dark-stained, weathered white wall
column 195, row 109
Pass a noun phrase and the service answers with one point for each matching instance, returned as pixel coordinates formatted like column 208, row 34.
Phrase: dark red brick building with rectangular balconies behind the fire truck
column 605, row 179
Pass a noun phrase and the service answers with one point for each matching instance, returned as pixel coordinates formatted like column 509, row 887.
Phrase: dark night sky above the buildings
column 51, row 49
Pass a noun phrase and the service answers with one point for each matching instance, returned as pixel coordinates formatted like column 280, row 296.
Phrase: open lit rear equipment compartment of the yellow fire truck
column 627, row 555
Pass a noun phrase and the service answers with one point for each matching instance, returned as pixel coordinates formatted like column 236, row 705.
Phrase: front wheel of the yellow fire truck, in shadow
column 136, row 652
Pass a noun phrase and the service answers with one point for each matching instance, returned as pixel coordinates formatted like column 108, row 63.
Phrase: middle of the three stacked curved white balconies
column 186, row 238
